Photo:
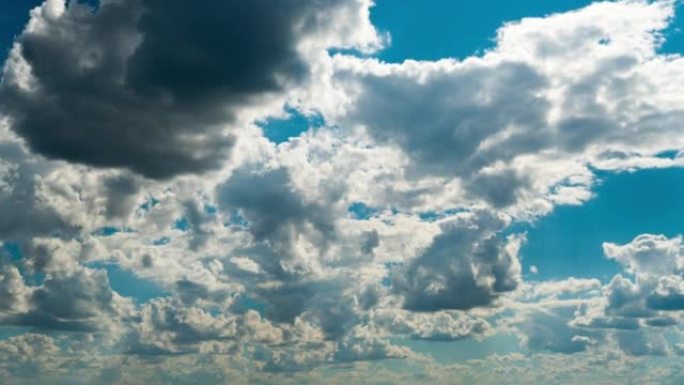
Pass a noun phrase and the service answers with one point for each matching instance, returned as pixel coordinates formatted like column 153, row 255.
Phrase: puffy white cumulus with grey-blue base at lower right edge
column 630, row 312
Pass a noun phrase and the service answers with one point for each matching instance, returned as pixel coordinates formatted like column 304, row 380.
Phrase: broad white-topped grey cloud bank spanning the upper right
column 486, row 121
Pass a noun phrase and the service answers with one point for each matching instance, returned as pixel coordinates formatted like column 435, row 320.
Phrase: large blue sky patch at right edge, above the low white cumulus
column 568, row 242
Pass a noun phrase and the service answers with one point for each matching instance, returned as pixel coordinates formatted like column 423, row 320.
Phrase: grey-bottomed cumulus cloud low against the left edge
column 70, row 297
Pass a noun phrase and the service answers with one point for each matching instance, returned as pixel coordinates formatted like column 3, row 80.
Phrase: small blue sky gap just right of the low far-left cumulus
column 130, row 285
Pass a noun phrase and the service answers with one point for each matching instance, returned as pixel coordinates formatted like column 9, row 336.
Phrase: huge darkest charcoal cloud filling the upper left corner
column 149, row 85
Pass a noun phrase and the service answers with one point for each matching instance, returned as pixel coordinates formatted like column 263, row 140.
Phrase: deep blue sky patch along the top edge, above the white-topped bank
column 440, row 29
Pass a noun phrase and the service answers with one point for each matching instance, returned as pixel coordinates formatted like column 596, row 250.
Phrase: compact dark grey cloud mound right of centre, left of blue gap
column 466, row 266
